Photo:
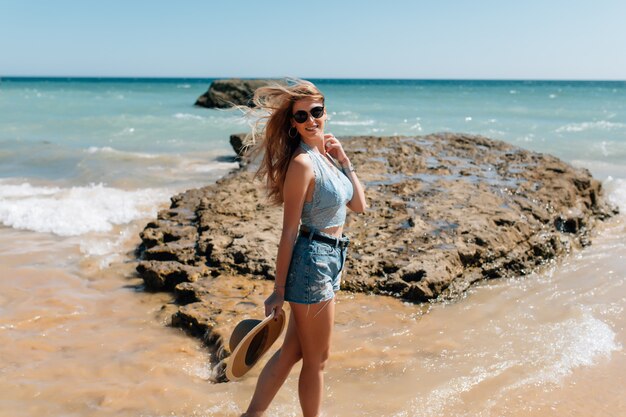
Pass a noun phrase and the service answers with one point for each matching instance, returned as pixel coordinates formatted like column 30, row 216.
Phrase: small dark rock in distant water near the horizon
column 224, row 93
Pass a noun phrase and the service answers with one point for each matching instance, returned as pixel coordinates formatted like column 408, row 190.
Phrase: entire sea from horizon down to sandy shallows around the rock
column 86, row 162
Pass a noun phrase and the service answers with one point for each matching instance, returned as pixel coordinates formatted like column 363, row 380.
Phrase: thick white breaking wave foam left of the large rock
column 77, row 210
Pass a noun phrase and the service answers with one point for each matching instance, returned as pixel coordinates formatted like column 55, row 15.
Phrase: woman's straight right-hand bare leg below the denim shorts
column 314, row 324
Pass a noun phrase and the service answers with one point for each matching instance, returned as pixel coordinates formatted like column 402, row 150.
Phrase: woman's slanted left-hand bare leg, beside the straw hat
column 276, row 371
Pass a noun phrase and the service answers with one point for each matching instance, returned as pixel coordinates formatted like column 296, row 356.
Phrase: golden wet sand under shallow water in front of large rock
column 77, row 340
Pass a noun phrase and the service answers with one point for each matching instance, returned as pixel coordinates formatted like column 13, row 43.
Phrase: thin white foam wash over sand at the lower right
column 555, row 350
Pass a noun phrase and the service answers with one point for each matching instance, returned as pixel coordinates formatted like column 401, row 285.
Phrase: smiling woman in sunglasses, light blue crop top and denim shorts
column 309, row 173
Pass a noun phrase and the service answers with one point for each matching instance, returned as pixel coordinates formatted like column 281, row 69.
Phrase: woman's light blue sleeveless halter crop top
column 333, row 190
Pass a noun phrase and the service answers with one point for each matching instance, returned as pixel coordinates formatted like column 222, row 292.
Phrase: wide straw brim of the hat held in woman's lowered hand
column 239, row 363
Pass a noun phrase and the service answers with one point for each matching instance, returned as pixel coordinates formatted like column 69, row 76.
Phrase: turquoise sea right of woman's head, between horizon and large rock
column 572, row 120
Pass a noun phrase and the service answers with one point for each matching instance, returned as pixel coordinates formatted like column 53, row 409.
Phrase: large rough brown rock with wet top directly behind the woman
column 445, row 210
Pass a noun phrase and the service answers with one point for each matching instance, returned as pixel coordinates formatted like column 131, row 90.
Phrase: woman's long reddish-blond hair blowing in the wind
column 270, row 133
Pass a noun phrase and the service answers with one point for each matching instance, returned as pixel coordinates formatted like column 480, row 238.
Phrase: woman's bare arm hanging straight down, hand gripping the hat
column 299, row 176
